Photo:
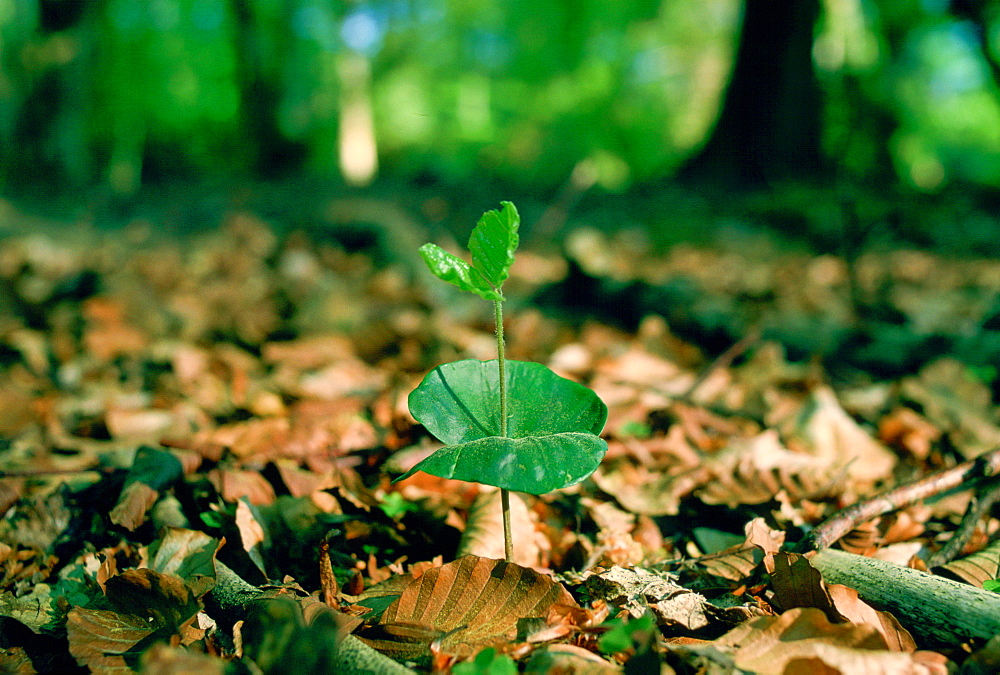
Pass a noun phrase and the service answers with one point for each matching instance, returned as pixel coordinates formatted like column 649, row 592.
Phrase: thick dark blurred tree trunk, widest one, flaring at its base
column 770, row 122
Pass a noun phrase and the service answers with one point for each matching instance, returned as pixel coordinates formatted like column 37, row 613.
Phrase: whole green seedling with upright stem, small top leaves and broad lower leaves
column 512, row 424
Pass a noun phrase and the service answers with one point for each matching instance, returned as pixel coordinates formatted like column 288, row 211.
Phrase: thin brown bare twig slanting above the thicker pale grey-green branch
column 845, row 520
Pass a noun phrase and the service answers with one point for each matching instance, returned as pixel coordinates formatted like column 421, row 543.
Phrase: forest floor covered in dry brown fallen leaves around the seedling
column 199, row 434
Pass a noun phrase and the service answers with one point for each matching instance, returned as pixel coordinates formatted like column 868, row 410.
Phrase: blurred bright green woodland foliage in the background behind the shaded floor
column 121, row 92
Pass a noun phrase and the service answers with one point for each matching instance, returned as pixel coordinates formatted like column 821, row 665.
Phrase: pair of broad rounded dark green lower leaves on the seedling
column 552, row 426
